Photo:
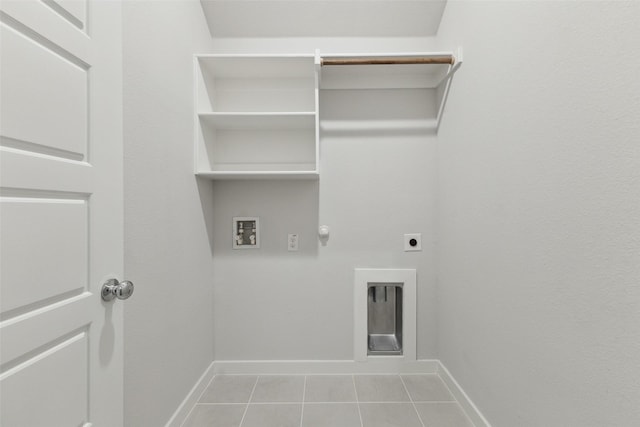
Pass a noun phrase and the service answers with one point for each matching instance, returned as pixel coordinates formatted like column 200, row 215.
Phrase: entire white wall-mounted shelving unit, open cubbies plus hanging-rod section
column 257, row 115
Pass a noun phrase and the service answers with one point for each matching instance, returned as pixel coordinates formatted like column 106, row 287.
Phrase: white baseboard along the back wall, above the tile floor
column 377, row 365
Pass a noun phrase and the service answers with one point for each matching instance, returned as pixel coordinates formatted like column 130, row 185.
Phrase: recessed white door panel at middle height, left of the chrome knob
column 44, row 248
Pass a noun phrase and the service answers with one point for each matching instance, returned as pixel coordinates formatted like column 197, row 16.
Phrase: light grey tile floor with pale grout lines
column 327, row 401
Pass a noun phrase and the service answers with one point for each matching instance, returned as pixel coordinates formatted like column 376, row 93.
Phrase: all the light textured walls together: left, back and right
column 536, row 207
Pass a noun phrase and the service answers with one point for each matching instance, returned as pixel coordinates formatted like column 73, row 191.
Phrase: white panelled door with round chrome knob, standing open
column 61, row 213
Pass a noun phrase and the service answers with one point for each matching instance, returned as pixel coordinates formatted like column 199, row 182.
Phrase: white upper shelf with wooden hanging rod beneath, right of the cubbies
column 387, row 71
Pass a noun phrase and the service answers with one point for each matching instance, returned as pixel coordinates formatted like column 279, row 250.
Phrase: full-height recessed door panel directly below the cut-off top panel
column 56, row 99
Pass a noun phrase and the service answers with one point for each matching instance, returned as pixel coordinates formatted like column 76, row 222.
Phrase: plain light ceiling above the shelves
column 323, row 18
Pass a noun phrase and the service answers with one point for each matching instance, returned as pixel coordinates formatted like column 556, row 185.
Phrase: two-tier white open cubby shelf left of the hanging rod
column 257, row 117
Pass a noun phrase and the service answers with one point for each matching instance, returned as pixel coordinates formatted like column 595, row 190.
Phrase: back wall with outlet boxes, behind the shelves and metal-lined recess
column 270, row 304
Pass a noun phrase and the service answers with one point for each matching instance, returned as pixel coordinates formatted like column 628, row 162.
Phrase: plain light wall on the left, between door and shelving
column 168, row 336
